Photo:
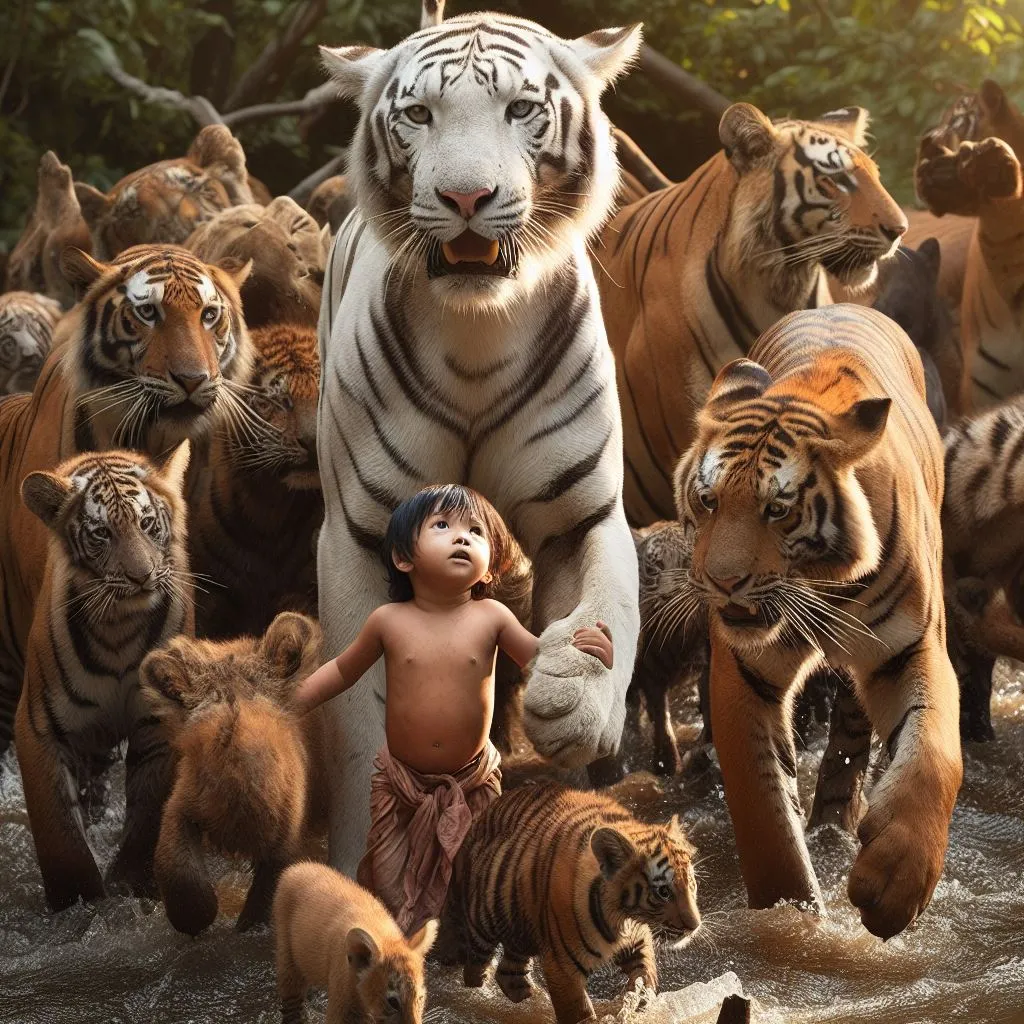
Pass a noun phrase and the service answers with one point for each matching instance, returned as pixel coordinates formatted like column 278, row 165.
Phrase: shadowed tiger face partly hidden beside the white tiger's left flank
column 284, row 394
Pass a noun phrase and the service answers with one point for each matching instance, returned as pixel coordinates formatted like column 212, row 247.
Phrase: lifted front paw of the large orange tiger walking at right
column 895, row 873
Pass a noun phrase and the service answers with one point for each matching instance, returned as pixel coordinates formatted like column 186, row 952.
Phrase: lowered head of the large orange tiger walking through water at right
column 777, row 513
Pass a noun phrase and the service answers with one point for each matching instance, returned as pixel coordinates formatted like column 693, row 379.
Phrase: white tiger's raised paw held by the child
column 568, row 702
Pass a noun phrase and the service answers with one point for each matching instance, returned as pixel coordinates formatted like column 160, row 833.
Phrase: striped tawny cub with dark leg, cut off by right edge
column 984, row 543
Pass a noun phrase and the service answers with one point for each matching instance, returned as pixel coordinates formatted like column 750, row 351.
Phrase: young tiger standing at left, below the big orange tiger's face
column 115, row 585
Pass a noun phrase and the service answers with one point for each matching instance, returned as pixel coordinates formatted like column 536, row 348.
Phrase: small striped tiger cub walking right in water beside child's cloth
column 574, row 878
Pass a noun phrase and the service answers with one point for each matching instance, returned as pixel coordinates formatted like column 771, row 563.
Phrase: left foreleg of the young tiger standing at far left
column 66, row 862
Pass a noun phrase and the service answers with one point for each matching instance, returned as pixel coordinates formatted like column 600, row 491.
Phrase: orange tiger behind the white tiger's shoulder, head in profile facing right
column 693, row 274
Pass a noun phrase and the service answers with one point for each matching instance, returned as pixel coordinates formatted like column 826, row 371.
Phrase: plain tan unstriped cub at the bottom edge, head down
column 332, row 933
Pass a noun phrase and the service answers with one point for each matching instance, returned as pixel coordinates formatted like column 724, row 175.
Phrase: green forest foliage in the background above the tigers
column 904, row 60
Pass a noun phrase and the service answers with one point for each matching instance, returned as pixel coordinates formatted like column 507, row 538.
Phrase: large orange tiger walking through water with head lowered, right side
column 815, row 490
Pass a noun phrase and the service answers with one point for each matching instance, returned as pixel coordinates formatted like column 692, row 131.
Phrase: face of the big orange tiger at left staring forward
column 160, row 342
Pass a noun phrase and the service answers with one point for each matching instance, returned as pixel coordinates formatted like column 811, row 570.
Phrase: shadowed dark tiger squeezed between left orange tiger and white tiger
column 257, row 509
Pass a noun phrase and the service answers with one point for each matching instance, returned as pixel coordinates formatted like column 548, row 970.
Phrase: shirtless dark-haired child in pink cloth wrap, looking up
column 445, row 550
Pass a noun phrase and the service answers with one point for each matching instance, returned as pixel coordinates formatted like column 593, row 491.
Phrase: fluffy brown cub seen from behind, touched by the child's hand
column 250, row 776
